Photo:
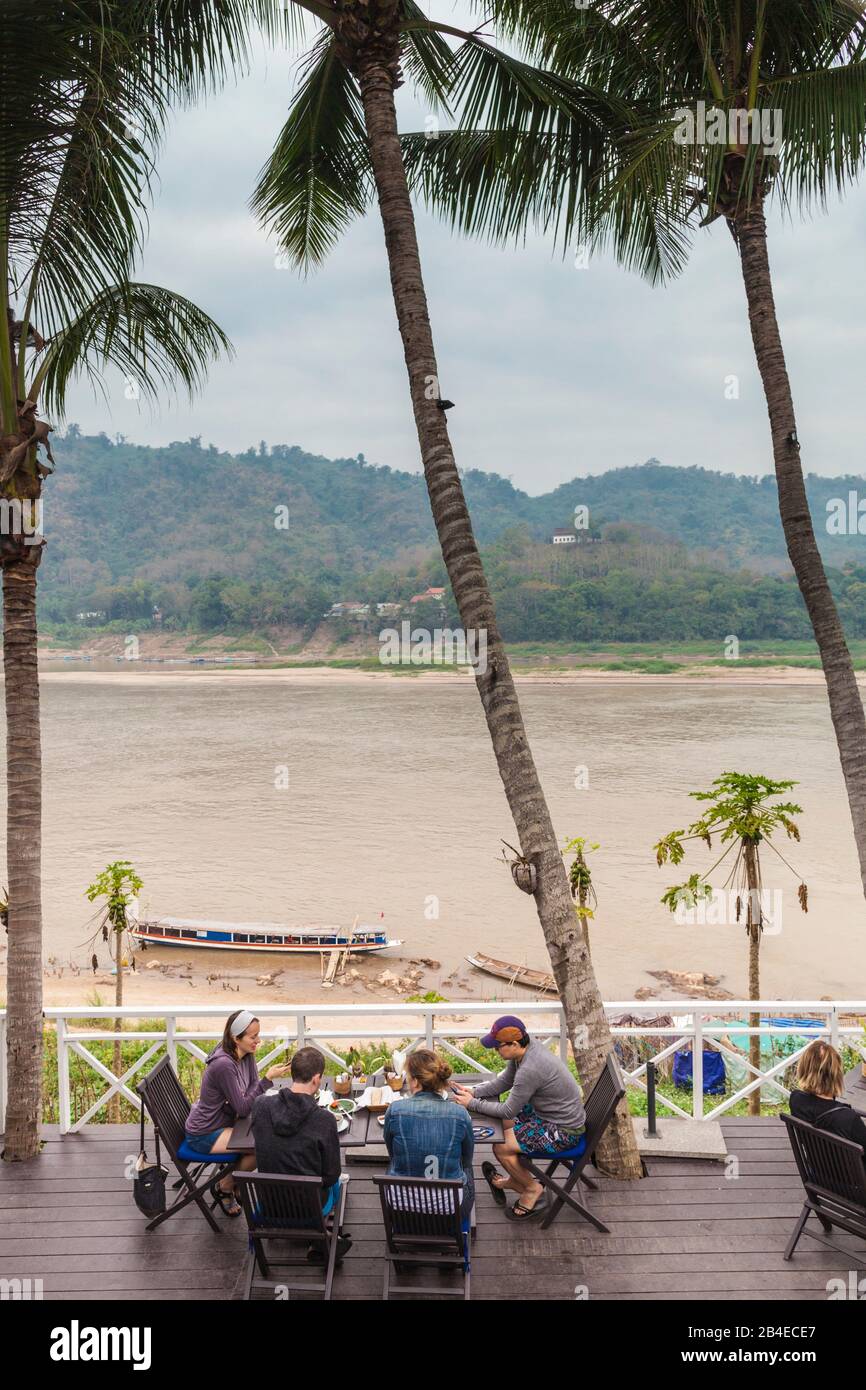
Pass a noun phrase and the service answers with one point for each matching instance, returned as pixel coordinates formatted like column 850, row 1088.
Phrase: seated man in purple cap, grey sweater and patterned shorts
column 544, row 1113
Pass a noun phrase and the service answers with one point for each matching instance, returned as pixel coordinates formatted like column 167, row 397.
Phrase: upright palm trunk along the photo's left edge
column 24, row 858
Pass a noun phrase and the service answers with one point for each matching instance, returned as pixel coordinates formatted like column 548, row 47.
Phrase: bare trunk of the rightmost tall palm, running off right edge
column 846, row 704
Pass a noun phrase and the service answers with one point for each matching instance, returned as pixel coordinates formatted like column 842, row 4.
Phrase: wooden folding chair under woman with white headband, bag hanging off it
column 166, row 1103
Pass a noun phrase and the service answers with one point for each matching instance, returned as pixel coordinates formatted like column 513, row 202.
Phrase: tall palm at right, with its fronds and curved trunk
column 725, row 104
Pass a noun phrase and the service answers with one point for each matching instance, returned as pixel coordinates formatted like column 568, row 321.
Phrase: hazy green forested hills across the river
column 679, row 555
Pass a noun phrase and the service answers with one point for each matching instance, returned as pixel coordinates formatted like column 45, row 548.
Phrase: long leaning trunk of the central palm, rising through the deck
column 586, row 1020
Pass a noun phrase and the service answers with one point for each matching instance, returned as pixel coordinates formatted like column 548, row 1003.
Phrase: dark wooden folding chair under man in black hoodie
column 288, row 1209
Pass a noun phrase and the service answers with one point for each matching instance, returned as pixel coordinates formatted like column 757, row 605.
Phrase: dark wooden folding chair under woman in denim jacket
column 425, row 1228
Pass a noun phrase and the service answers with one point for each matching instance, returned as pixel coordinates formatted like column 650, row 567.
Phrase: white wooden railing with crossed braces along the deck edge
column 440, row 1025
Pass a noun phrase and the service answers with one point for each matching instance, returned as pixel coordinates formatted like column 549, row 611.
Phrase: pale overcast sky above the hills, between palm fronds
column 555, row 372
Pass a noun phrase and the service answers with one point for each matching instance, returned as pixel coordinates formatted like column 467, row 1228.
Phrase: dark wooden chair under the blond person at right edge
column 835, row 1175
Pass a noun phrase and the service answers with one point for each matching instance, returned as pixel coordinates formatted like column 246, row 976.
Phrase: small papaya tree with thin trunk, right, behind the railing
column 744, row 814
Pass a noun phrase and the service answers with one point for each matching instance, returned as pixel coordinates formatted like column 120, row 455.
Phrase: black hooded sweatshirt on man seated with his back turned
column 294, row 1135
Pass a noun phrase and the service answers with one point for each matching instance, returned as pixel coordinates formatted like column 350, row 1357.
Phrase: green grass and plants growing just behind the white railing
column 87, row 1086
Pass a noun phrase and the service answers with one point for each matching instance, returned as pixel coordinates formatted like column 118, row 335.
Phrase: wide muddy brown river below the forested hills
column 247, row 799
